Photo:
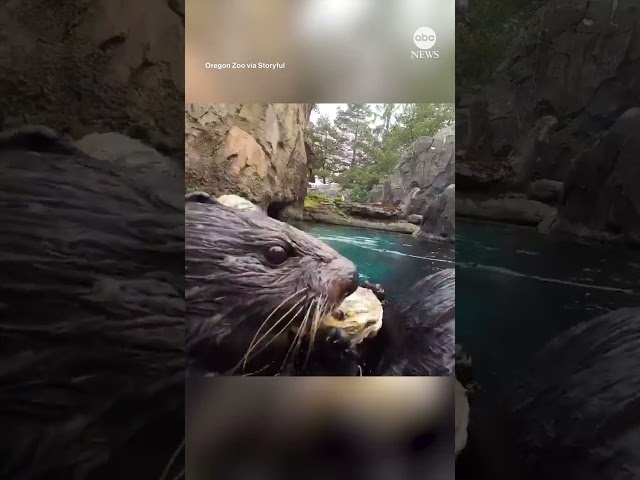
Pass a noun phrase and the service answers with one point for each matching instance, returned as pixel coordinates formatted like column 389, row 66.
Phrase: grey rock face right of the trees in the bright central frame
column 422, row 174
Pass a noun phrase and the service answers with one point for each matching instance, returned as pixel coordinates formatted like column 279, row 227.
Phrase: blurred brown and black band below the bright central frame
column 317, row 428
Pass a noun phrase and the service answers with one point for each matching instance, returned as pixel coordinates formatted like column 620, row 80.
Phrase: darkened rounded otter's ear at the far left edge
column 36, row 138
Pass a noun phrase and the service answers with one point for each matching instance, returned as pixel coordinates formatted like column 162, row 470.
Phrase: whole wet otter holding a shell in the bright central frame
column 243, row 268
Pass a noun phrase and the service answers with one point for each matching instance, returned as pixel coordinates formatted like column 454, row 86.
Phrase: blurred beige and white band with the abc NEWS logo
column 333, row 51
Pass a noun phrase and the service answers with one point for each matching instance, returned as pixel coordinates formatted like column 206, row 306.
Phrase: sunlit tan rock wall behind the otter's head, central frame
column 256, row 151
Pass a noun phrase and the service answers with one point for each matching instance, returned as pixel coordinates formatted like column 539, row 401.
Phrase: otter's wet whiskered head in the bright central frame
column 251, row 281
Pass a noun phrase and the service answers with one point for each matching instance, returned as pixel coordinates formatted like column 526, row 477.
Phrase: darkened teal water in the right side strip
column 517, row 289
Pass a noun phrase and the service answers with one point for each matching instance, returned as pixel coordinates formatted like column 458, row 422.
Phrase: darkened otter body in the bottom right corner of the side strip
column 574, row 413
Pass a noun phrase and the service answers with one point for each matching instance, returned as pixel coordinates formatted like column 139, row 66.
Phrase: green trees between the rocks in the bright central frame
column 363, row 145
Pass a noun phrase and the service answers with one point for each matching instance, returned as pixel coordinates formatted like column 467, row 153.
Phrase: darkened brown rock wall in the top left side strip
column 93, row 58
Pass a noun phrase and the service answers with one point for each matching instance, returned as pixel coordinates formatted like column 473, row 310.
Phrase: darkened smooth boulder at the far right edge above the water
column 601, row 197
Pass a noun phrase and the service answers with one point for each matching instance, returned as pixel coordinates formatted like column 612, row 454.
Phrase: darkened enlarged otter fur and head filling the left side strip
column 92, row 308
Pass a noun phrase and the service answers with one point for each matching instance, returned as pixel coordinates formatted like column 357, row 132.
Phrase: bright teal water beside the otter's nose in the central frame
column 396, row 261
